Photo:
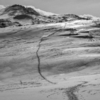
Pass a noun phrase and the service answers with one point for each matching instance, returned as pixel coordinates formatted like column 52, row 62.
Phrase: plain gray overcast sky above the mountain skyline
column 61, row 6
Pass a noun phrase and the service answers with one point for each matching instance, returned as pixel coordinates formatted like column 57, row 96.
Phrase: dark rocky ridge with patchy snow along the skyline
column 25, row 15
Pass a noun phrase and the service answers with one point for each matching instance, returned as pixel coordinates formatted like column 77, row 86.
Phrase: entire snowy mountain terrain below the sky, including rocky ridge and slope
column 48, row 56
